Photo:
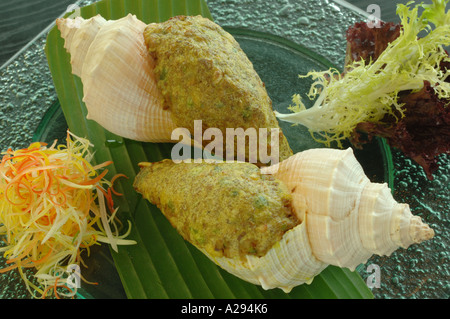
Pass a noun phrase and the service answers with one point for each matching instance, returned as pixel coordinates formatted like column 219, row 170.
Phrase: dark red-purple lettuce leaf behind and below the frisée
column 424, row 132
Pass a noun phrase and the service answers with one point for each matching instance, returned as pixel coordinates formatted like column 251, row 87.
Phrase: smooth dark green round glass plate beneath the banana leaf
column 278, row 62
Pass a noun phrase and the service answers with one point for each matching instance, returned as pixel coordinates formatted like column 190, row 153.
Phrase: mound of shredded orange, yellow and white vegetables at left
column 53, row 206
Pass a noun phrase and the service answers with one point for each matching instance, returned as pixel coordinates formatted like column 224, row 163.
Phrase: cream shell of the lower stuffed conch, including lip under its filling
column 344, row 217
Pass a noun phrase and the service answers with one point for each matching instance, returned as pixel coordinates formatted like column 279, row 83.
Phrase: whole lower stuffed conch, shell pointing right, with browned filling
column 280, row 226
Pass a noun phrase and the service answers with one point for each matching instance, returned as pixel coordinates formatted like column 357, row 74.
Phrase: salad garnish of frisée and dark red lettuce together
column 409, row 79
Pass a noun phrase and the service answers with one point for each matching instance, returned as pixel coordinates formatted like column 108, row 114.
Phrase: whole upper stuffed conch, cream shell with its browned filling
column 143, row 81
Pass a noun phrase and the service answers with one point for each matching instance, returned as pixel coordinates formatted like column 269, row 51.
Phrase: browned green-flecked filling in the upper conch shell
column 205, row 75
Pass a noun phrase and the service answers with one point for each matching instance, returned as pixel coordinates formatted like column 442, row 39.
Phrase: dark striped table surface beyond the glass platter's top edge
column 22, row 20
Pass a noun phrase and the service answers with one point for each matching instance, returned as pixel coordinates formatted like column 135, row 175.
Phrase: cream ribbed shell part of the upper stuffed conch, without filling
column 119, row 85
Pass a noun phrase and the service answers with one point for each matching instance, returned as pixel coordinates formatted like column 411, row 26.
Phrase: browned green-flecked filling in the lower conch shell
column 228, row 209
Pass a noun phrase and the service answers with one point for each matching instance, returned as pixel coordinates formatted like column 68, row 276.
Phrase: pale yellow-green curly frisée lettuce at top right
column 368, row 92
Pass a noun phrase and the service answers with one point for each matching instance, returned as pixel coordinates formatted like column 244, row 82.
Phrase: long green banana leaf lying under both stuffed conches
column 162, row 264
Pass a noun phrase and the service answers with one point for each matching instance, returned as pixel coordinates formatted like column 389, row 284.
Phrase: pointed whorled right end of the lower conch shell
column 348, row 217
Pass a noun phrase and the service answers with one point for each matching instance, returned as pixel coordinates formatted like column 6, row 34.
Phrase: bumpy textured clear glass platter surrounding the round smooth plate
column 421, row 271
